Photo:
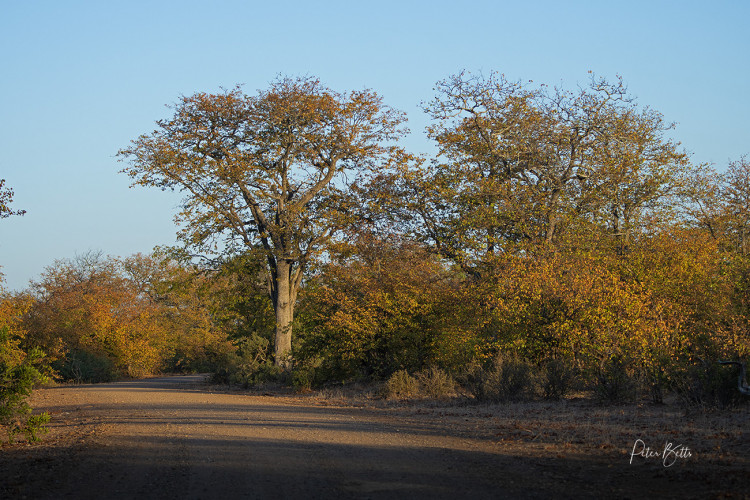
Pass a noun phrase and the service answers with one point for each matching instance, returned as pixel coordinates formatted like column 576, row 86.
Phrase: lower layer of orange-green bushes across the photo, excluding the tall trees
column 641, row 322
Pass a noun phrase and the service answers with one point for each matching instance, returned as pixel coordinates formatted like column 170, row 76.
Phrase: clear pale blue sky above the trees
column 80, row 79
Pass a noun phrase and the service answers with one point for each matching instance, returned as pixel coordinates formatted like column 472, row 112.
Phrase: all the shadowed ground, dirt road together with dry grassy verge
column 176, row 437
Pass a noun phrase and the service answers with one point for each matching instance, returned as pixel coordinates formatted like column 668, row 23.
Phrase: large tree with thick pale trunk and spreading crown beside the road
column 267, row 173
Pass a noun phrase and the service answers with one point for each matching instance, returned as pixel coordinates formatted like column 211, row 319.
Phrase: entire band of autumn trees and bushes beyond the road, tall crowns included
column 559, row 239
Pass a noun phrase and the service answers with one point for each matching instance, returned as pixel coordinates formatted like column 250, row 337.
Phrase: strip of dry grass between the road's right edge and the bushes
column 575, row 426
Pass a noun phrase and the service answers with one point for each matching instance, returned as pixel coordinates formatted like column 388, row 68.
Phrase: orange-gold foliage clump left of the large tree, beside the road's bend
column 105, row 317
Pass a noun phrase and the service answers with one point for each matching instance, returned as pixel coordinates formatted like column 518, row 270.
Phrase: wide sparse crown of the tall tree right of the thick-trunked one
column 519, row 166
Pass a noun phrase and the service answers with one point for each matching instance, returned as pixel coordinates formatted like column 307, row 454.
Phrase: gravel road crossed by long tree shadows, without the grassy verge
column 175, row 437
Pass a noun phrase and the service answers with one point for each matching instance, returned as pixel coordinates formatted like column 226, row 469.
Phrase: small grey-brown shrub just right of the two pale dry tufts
column 508, row 378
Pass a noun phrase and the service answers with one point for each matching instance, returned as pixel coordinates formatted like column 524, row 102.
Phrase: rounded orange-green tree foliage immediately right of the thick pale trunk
column 379, row 308
